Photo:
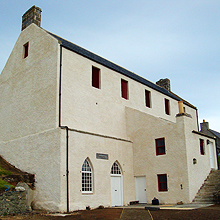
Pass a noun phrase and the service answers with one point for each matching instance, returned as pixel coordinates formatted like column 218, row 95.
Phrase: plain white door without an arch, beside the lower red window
column 140, row 188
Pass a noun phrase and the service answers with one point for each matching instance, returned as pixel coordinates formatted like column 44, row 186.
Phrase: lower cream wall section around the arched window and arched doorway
column 84, row 146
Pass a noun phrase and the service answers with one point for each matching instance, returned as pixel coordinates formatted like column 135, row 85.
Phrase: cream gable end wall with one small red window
column 29, row 137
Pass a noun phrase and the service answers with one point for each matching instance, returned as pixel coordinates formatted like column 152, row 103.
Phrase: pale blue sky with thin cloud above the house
column 156, row 39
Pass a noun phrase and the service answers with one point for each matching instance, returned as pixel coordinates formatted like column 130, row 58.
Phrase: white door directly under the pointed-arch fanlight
column 116, row 190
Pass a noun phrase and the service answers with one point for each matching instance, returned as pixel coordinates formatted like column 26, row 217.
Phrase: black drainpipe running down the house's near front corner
column 67, row 136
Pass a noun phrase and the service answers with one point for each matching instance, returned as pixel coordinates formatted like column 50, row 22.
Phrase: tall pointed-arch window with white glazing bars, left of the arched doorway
column 86, row 177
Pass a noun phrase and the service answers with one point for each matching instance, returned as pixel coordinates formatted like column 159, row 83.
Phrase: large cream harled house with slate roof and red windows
column 94, row 133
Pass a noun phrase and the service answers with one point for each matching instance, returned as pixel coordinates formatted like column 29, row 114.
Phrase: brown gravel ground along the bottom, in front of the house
column 212, row 213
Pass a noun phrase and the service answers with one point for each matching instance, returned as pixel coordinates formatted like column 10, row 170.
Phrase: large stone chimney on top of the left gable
column 33, row 15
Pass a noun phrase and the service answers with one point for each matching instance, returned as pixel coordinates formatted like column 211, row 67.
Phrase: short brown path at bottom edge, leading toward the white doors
column 135, row 214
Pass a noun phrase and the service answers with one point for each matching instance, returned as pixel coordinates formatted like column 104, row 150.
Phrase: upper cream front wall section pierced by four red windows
column 102, row 110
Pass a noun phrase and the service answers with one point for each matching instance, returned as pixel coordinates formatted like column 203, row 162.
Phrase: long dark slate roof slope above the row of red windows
column 83, row 52
